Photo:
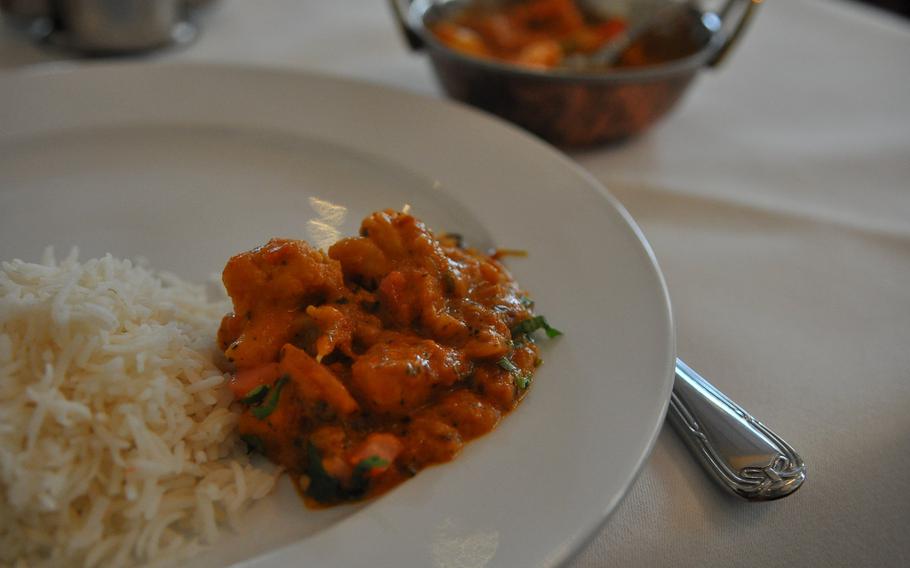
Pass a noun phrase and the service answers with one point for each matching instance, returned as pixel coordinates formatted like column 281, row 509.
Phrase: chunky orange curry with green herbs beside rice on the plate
column 360, row 367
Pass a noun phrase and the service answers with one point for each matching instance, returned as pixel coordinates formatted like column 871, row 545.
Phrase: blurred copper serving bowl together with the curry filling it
column 511, row 58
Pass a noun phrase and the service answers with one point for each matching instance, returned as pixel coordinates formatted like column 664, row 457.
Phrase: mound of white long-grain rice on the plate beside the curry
column 117, row 442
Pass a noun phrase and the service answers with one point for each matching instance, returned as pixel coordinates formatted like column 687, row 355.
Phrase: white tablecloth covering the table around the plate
column 777, row 200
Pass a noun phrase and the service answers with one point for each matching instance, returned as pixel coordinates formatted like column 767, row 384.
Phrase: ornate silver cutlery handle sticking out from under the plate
column 743, row 454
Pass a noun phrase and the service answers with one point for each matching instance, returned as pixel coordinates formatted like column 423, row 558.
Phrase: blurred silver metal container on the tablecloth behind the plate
column 106, row 27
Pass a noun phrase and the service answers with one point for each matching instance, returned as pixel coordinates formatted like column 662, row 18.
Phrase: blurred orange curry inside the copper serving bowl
column 535, row 33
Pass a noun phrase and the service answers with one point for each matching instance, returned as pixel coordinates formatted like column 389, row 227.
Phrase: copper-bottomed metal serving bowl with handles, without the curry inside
column 583, row 107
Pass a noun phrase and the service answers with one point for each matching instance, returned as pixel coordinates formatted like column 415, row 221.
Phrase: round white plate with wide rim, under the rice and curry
column 186, row 165
